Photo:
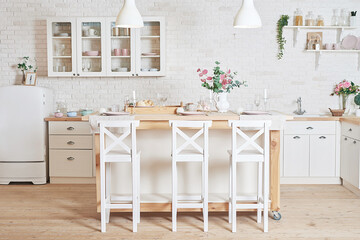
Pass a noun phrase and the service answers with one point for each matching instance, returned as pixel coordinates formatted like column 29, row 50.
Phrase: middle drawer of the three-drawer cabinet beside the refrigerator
column 70, row 142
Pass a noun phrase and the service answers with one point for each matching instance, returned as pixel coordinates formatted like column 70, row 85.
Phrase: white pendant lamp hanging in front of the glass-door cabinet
column 129, row 16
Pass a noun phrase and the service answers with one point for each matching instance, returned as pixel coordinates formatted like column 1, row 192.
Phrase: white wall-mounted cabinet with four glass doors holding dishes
column 96, row 47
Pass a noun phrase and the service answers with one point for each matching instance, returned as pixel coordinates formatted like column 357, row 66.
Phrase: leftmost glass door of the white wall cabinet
column 61, row 47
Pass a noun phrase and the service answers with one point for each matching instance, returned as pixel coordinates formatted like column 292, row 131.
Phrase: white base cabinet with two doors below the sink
column 311, row 152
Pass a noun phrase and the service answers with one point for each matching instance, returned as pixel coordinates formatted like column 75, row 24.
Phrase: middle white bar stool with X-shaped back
column 199, row 154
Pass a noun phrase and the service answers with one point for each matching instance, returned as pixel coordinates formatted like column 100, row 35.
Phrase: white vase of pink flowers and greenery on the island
column 220, row 83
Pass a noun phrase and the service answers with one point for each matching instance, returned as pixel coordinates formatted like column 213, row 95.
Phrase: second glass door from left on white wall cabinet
column 91, row 47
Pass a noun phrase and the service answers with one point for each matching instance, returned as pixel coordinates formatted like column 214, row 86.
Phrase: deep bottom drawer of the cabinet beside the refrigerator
column 70, row 163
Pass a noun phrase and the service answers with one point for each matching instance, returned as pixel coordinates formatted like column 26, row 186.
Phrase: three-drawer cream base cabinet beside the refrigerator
column 71, row 152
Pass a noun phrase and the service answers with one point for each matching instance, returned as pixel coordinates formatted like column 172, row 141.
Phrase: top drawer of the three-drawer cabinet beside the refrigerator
column 69, row 128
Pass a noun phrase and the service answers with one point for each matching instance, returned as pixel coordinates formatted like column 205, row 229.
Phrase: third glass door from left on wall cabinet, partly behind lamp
column 120, row 50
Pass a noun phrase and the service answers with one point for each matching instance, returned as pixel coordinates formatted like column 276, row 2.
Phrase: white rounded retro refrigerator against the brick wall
column 23, row 134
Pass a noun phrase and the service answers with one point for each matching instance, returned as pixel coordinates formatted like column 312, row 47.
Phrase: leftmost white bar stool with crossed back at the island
column 122, row 154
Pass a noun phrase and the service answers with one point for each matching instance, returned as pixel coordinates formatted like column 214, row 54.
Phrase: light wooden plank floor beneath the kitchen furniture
column 68, row 212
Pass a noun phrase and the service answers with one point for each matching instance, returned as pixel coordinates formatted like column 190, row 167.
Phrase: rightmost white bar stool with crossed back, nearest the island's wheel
column 242, row 154
